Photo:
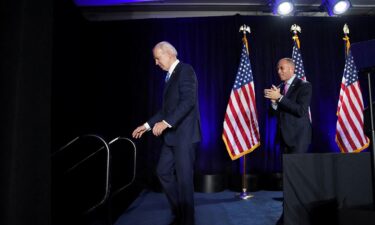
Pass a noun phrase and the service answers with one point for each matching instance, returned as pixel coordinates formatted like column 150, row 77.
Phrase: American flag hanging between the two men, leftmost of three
column 241, row 130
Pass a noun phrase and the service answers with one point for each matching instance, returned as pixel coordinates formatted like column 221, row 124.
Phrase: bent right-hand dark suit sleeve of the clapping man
column 300, row 107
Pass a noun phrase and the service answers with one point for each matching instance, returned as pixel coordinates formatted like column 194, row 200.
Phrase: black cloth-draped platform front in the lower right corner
column 317, row 186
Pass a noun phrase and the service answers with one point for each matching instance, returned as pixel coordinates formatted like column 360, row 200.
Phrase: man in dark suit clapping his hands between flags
column 292, row 107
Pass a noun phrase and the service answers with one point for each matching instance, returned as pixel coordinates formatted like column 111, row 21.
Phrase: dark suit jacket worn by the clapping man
column 293, row 116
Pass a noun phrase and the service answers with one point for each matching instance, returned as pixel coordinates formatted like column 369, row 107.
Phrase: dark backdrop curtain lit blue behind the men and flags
column 105, row 80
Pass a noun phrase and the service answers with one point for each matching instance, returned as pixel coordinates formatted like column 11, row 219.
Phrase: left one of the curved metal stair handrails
column 107, row 174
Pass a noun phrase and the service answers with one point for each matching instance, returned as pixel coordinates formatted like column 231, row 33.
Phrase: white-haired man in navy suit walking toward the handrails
column 178, row 122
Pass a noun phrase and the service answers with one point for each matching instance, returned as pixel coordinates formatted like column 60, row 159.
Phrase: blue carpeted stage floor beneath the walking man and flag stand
column 221, row 208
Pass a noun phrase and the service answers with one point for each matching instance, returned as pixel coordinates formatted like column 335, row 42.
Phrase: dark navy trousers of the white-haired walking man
column 175, row 171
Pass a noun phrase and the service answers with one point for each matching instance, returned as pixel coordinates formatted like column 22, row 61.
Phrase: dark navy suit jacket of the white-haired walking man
column 180, row 107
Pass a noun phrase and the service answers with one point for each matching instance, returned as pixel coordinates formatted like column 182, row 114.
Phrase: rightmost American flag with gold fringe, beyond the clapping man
column 350, row 136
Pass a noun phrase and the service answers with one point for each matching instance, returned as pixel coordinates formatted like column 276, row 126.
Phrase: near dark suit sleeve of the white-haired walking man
column 188, row 96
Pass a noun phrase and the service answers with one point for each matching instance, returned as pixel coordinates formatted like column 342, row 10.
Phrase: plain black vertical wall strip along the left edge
column 25, row 86
